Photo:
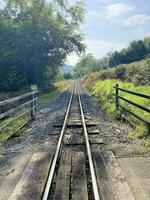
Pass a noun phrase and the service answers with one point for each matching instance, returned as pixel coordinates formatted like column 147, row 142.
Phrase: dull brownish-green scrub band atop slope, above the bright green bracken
column 136, row 72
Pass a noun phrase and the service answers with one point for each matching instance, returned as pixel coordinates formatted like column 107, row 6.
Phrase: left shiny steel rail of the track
column 53, row 166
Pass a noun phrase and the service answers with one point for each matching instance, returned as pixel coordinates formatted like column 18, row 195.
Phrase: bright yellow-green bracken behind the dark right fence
column 103, row 90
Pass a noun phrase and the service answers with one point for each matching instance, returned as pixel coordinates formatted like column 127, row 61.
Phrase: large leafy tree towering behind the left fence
column 35, row 38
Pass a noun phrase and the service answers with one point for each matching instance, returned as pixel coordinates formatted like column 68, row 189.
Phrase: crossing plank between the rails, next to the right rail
column 79, row 187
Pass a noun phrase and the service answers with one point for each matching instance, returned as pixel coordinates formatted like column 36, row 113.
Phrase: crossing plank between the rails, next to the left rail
column 62, row 190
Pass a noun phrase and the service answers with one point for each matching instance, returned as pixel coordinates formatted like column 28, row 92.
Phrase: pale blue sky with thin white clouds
column 112, row 24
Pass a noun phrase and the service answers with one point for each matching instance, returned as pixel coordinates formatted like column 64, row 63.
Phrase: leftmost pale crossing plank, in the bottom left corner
column 12, row 166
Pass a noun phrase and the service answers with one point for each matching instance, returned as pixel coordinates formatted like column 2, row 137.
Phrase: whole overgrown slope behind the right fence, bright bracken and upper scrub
column 134, row 77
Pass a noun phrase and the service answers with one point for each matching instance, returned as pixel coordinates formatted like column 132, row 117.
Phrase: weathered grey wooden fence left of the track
column 16, row 105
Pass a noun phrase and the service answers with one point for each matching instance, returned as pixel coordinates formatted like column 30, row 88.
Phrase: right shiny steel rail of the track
column 93, row 176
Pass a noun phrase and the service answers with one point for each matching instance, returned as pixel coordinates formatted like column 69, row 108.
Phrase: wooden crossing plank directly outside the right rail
column 105, row 186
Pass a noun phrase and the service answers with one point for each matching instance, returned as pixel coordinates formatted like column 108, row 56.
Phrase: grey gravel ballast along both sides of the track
column 41, row 135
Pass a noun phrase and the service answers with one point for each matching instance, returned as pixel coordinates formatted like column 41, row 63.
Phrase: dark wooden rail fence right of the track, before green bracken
column 118, row 105
